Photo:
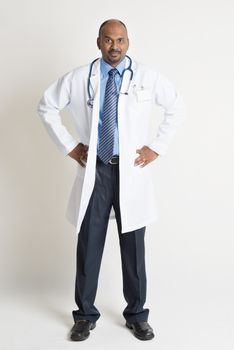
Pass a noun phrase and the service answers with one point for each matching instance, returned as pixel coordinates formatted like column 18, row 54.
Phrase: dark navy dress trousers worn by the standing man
column 91, row 240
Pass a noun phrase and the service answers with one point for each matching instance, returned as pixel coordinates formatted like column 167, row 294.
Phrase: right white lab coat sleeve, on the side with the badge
column 169, row 99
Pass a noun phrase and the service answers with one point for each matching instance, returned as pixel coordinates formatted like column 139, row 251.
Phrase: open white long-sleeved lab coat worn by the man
column 148, row 87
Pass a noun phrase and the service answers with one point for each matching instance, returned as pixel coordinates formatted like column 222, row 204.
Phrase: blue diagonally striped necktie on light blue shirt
column 109, row 119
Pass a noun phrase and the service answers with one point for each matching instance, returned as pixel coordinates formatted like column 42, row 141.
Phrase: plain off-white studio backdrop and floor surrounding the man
column 189, row 251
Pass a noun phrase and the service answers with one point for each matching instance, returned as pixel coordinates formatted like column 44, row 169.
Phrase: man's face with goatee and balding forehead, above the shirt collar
column 113, row 43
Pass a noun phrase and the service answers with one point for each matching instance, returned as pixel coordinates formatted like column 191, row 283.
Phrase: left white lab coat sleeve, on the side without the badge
column 56, row 98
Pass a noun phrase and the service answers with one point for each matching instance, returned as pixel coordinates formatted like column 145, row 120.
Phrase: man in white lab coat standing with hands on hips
column 111, row 102
